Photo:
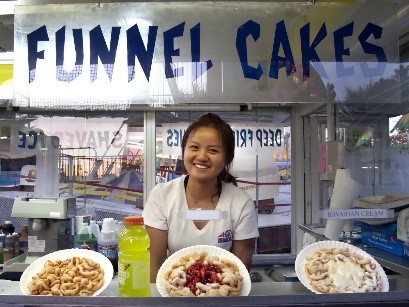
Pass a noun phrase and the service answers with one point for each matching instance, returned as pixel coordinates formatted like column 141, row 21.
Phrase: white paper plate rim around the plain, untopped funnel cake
column 64, row 254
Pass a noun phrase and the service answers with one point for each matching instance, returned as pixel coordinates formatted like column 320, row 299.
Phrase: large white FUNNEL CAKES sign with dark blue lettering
column 115, row 54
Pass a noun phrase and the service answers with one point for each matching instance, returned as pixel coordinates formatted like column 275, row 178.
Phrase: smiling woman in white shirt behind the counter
column 224, row 215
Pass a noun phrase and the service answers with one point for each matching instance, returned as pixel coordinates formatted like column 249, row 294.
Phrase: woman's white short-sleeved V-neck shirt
column 166, row 210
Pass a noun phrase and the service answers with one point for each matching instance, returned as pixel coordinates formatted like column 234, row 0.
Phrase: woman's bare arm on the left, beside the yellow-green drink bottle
column 158, row 249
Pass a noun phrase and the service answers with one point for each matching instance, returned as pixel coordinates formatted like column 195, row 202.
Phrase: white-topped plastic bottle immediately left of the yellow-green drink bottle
column 107, row 242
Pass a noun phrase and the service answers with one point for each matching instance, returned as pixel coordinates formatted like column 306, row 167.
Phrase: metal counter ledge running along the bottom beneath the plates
column 262, row 294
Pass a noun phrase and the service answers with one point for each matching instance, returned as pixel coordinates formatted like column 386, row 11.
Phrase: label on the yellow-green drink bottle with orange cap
column 134, row 274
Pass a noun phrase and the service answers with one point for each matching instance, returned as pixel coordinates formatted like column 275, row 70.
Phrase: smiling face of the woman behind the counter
column 204, row 156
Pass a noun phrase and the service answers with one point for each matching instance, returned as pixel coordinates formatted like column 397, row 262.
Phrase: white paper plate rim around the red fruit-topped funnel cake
column 212, row 251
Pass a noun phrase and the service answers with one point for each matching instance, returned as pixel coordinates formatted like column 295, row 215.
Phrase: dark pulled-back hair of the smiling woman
column 227, row 138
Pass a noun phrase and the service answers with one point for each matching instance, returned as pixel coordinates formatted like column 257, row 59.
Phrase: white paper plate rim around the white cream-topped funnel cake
column 300, row 262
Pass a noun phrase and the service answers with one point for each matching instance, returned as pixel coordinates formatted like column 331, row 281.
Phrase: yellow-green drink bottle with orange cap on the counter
column 134, row 259
